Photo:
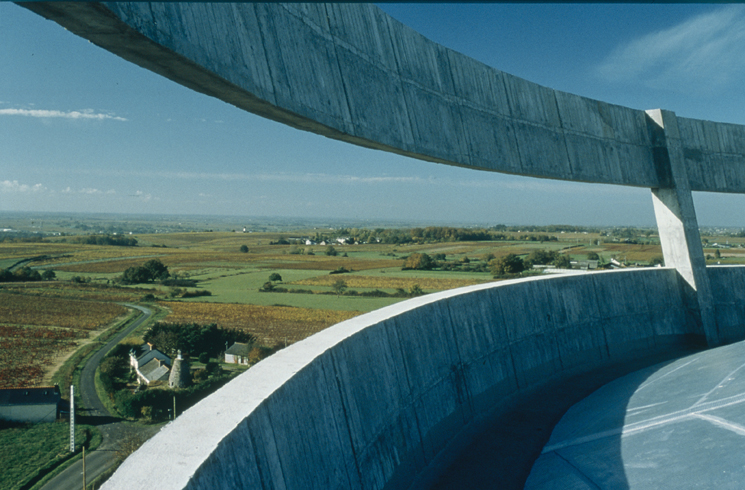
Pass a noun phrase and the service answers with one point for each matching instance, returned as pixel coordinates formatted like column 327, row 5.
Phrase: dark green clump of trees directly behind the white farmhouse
column 193, row 339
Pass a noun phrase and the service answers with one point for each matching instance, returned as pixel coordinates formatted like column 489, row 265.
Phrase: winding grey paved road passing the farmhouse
column 112, row 429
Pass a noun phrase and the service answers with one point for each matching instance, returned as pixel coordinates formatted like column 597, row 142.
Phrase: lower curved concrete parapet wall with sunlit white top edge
column 381, row 400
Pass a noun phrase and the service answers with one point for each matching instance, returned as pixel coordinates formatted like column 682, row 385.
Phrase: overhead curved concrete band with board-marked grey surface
column 349, row 71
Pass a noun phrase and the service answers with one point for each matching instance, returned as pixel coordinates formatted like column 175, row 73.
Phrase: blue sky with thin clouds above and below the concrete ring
column 82, row 130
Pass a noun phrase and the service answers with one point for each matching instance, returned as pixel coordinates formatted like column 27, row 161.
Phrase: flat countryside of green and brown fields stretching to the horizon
column 68, row 282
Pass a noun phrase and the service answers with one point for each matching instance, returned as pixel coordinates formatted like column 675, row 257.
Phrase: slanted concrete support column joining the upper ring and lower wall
column 677, row 224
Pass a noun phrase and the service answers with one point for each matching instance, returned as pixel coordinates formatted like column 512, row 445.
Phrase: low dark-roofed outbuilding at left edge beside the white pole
column 30, row 405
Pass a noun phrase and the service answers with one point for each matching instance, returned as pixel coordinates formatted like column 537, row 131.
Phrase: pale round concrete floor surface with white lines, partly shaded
column 678, row 425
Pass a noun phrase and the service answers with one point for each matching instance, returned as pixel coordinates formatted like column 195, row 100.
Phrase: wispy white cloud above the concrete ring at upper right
column 701, row 54
